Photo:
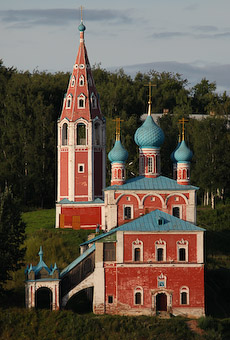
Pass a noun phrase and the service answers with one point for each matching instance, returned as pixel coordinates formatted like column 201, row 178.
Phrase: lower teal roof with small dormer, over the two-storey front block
column 156, row 220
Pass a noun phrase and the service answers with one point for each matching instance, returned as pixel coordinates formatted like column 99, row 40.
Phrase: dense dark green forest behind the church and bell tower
column 30, row 105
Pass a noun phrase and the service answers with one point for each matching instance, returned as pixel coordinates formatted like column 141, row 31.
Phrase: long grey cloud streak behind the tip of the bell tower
column 52, row 17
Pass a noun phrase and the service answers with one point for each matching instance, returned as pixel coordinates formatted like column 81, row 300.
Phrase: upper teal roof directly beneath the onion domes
column 158, row 183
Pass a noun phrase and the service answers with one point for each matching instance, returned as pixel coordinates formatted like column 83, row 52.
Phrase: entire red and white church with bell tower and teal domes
column 148, row 258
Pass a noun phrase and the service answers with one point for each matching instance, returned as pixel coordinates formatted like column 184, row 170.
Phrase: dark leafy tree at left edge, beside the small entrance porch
column 12, row 236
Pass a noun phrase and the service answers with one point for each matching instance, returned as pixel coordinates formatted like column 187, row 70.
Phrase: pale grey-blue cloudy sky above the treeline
column 190, row 37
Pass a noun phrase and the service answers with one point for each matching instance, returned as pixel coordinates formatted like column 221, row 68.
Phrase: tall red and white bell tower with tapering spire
column 81, row 135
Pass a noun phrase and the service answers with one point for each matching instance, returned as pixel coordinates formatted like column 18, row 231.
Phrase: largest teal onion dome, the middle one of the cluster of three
column 149, row 134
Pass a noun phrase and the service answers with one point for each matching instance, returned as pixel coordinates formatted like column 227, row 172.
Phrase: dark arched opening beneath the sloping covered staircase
column 81, row 302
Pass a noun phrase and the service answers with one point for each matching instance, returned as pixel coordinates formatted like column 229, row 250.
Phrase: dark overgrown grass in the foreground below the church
column 66, row 325
